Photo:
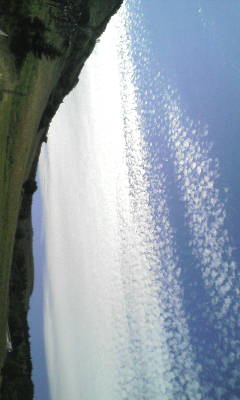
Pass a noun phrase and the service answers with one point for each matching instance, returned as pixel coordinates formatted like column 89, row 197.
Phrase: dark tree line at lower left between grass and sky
column 17, row 370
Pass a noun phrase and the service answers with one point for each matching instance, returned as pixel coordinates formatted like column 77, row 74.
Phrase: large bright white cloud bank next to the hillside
column 114, row 320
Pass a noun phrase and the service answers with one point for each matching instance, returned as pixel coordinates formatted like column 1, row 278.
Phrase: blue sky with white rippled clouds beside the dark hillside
column 136, row 222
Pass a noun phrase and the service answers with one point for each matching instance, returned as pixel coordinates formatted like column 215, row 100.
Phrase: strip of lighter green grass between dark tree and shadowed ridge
column 19, row 120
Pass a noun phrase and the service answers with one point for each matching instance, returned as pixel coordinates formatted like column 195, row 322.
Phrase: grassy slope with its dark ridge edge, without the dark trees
column 43, row 84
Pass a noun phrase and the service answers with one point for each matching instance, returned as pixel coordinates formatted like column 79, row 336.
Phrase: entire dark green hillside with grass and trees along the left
column 46, row 46
